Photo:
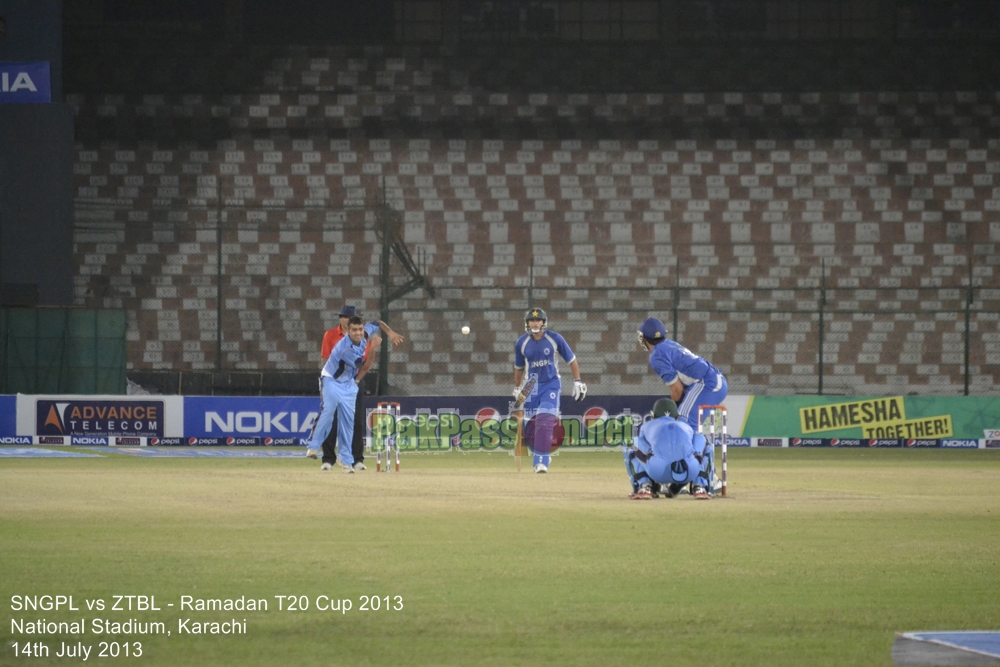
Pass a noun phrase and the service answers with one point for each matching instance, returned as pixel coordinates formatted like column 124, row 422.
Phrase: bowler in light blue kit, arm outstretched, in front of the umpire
column 339, row 388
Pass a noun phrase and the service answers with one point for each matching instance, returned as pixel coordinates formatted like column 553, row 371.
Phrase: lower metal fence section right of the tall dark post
column 796, row 345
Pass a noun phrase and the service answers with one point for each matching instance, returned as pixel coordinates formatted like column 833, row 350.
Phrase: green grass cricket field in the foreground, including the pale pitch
column 816, row 558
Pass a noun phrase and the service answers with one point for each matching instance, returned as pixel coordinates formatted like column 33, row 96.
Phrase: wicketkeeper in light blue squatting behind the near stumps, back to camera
column 668, row 455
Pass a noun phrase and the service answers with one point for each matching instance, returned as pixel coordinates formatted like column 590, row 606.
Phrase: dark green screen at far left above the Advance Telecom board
column 62, row 351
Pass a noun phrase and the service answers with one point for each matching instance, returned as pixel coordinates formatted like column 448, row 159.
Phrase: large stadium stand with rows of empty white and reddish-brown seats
column 743, row 219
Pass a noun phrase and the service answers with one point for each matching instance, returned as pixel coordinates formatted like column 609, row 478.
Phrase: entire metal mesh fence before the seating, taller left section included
column 243, row 306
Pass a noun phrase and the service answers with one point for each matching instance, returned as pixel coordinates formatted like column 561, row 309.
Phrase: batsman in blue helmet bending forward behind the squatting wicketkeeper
column 692, row 380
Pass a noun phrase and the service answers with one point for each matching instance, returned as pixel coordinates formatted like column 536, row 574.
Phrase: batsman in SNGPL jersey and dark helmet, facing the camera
column 535, row 355
